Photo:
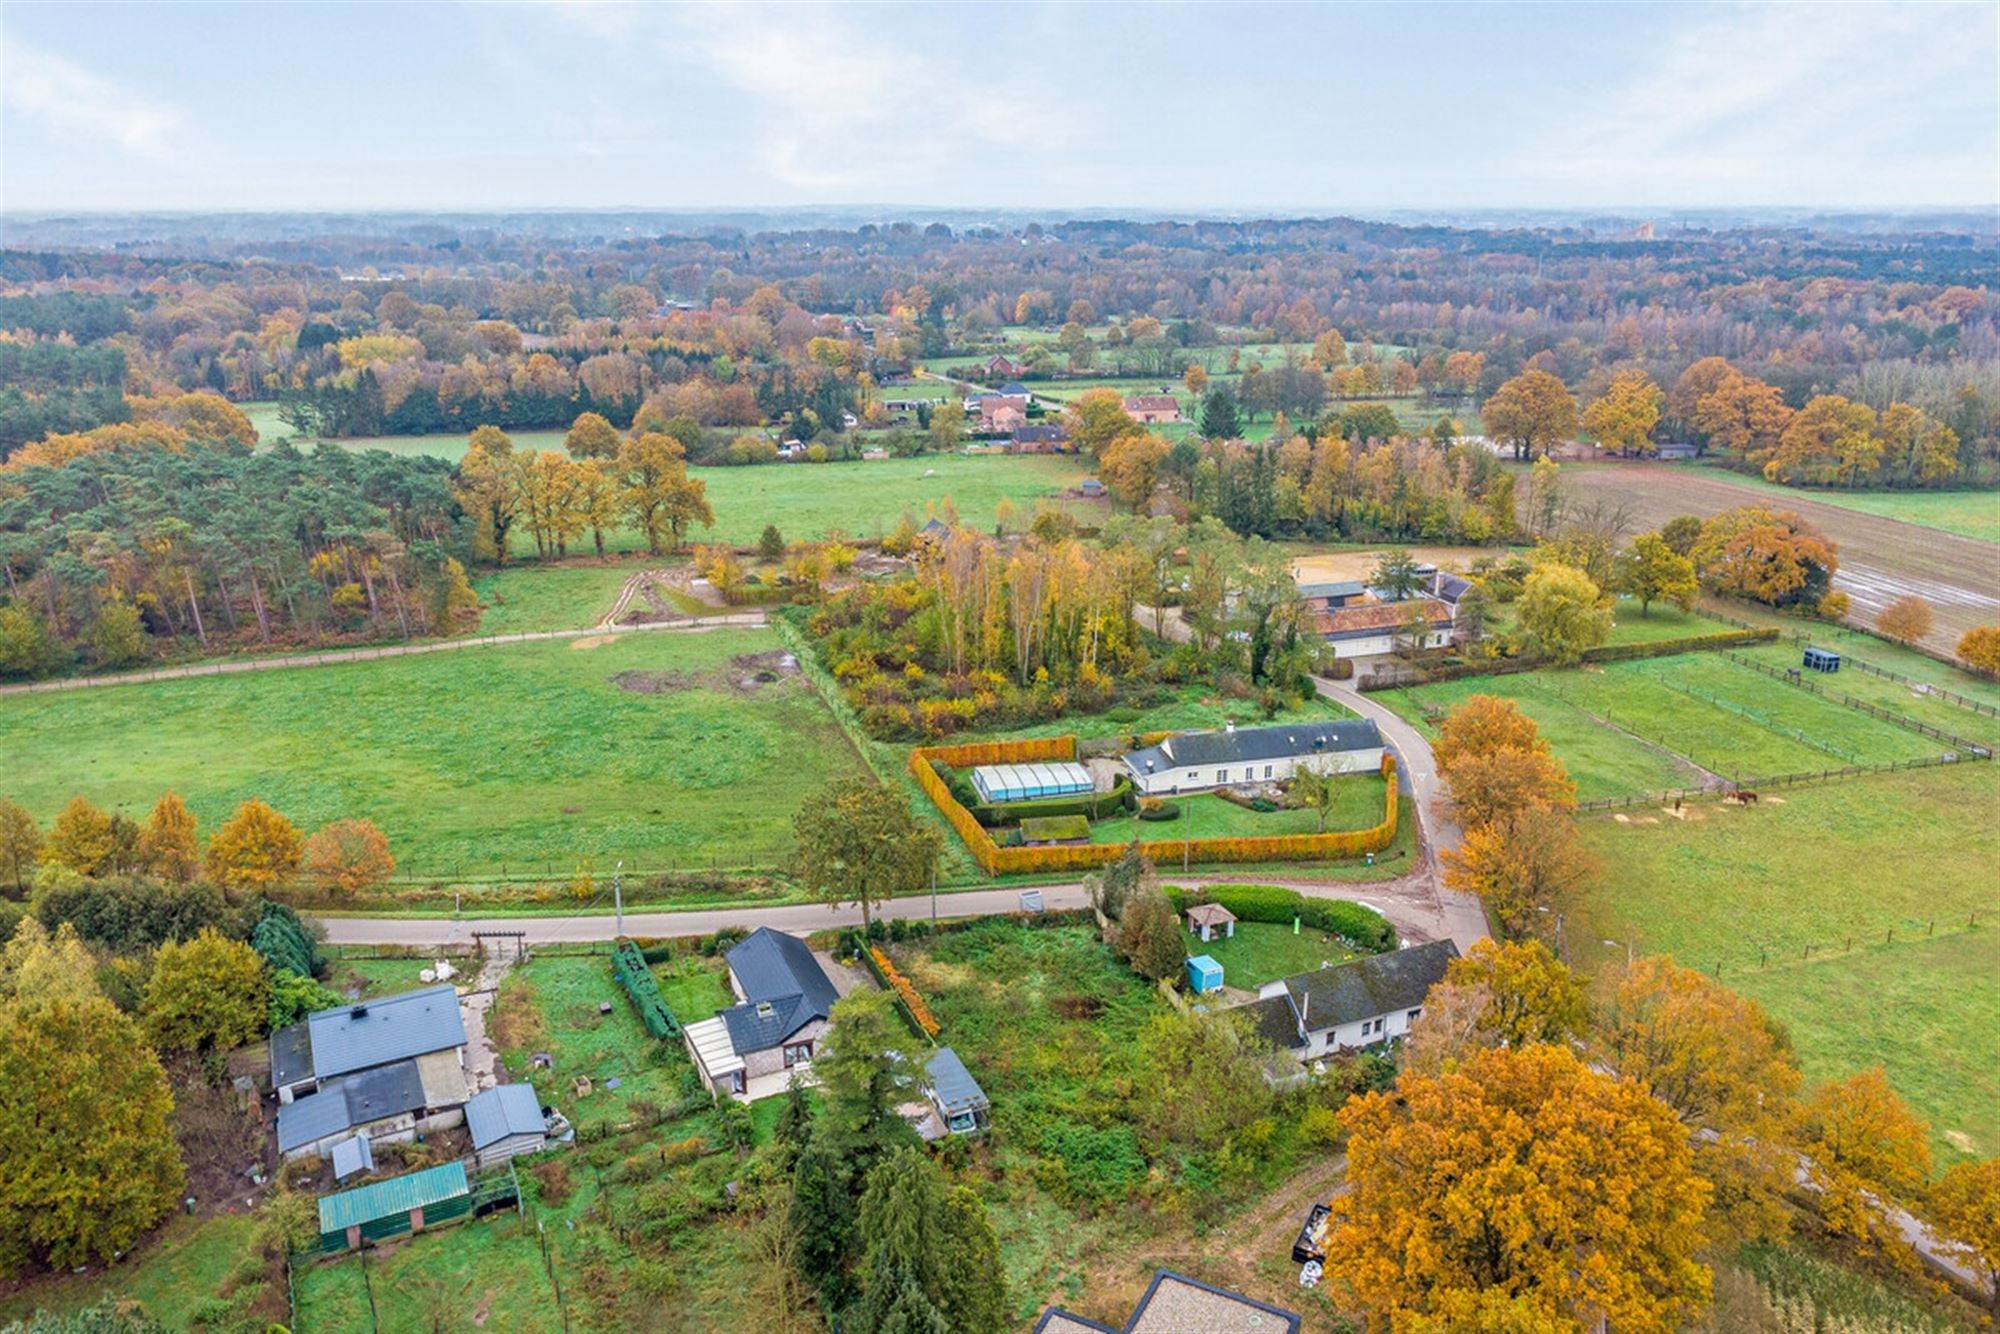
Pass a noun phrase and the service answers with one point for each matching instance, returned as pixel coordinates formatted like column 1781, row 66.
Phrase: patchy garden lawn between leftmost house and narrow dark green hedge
column 551, row 1005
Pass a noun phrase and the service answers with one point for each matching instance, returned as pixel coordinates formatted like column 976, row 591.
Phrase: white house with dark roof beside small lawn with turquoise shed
column 1349, row 1005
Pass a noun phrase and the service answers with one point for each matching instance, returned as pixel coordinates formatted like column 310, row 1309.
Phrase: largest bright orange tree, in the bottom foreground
column 1519, row 1193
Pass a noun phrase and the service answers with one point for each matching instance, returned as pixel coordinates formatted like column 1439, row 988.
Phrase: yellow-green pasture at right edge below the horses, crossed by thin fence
column 1823, row 867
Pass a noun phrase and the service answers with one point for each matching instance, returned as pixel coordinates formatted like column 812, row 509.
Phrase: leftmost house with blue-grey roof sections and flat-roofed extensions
column 391, row 1069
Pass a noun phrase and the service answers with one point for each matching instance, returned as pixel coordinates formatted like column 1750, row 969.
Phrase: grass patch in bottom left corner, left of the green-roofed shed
column 175, row 1273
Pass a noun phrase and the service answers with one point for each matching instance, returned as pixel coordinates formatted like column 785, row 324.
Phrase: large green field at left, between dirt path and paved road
column 527, row 757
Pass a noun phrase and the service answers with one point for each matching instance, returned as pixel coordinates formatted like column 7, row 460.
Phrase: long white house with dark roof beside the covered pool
column 1241, row 757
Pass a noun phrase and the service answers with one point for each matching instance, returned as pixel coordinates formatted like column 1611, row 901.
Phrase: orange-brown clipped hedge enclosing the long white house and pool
column 997, row 861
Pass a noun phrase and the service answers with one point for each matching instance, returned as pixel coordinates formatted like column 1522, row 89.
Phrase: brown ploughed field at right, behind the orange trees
column 1881, row 559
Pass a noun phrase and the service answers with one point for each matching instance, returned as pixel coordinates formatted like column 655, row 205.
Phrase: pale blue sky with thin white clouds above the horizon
column 1181, row 109
